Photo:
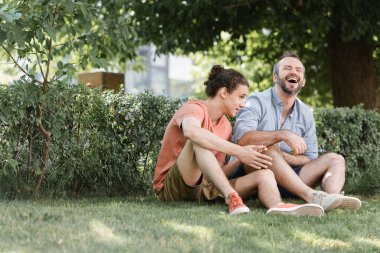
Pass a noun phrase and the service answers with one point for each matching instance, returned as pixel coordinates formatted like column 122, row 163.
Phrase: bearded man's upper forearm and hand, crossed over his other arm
column 268, row 138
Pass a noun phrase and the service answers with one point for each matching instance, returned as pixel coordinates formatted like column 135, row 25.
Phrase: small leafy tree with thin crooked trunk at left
column 49, row 40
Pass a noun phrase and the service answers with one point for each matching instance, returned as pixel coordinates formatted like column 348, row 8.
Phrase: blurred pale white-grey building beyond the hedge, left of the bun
column 165, row 74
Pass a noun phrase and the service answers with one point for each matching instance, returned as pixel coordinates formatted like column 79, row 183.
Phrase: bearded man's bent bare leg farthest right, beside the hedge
column 327, row 170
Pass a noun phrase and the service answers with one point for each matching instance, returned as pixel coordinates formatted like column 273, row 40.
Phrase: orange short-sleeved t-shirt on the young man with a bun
column 174, row 140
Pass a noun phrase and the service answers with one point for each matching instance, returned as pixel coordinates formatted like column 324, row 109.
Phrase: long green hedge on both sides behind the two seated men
column 107, row 144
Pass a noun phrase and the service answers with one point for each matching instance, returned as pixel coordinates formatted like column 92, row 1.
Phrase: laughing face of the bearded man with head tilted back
column 291, row 75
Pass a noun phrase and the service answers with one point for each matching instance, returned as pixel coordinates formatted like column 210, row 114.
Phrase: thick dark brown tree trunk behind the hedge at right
column 353, row 73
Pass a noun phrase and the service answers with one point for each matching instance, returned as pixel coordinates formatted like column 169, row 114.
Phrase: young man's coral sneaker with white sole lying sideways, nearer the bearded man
column 297, row 210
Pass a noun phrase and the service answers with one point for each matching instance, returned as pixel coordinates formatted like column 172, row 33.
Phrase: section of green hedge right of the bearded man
column 355, row 134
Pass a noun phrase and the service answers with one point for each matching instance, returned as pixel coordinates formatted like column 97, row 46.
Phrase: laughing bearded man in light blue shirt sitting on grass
column 276, row 115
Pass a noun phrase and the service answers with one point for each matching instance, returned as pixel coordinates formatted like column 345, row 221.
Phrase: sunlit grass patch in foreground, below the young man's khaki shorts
column 202, row 233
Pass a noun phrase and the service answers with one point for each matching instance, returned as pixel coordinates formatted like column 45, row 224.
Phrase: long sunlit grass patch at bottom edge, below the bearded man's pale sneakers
column 318, row 241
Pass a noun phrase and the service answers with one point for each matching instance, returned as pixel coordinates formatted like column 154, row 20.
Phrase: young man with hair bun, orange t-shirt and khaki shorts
column 191, row 164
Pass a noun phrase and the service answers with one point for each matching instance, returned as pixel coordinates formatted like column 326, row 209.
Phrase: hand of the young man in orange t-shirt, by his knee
column 251, row 155
